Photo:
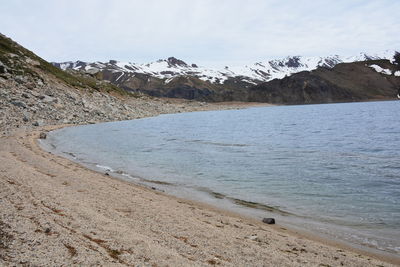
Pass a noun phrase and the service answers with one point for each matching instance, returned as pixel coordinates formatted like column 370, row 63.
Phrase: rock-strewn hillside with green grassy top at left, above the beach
column 34, row 93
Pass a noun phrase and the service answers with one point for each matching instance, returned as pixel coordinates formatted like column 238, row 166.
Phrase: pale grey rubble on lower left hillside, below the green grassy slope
column 26, row 103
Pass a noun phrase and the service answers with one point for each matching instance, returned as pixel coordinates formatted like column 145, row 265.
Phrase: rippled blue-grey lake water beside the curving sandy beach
column 334, row 169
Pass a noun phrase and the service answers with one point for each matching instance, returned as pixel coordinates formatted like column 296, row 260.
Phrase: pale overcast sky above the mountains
column 207, row 32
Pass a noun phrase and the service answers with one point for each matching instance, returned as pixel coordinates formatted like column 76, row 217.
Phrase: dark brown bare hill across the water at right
column 346, row 82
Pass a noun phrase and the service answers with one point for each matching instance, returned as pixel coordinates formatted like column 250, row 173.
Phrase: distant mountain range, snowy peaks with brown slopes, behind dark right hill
column 176, row 79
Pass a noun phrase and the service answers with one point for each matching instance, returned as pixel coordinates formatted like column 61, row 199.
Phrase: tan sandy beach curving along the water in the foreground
column 56, row 213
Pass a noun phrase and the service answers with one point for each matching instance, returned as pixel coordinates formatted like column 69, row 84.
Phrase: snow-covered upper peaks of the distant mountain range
column 171, row 68
